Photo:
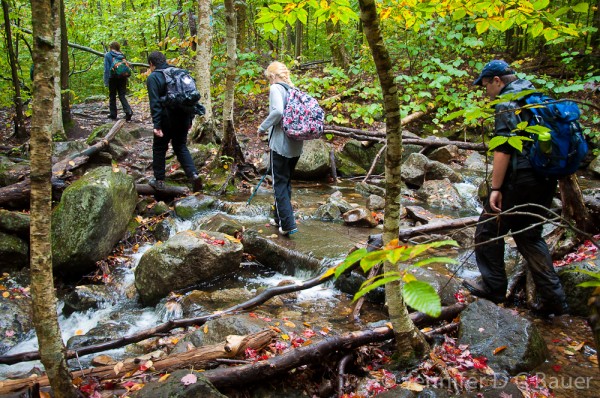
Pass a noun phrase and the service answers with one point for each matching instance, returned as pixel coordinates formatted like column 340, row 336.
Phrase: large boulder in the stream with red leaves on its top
column 186, row 259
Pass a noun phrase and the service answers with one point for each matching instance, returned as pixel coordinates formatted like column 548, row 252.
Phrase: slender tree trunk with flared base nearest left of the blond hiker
column 230, row 146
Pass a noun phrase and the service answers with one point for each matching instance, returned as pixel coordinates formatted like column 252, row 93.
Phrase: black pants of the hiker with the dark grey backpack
column 177, row 135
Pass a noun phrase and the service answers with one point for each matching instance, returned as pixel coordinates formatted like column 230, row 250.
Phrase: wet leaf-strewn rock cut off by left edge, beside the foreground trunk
column 15, row 315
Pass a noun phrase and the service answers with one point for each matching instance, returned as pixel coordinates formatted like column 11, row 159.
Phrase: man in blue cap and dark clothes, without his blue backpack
column 514, row 183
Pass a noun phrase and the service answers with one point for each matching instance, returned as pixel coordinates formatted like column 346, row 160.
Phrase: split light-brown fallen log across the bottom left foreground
column 197, row 358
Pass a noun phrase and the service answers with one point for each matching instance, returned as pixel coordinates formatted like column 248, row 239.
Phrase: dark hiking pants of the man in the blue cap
column 525, row 188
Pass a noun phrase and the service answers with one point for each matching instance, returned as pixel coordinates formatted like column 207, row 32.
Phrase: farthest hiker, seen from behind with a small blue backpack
column 116, row 72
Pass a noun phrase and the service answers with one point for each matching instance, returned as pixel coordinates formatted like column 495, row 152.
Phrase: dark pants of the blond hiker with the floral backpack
column 282, row 169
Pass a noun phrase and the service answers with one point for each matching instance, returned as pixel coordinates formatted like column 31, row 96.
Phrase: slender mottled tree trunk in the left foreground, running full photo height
column 45, row 21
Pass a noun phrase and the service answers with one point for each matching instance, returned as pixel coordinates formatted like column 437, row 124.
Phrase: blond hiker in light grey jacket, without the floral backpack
column 284, row 152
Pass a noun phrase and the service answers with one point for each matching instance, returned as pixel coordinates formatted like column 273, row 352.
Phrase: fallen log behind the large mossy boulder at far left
column 17, row 195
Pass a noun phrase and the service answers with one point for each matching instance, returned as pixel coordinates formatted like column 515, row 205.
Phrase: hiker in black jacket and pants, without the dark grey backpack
column 169, row 125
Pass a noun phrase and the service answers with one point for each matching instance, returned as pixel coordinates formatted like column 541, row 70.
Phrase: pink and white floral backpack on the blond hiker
column 303, row 118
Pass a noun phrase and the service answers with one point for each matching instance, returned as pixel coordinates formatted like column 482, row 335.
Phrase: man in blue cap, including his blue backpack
column 522, row 178
